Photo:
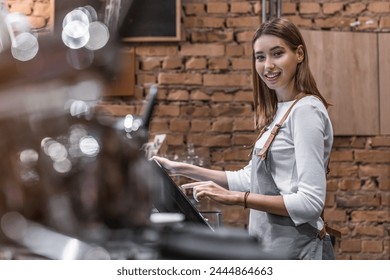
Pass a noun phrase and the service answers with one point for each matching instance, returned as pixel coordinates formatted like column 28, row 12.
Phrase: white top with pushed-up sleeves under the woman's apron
column 298, row 158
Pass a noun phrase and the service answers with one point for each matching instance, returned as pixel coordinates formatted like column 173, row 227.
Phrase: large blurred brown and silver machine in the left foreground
column 75, row 184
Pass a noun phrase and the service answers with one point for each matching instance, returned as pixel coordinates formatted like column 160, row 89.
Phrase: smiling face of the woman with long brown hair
column 276, row 64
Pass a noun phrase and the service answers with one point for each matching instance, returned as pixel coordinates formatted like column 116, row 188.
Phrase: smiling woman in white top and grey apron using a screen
column 284, row 184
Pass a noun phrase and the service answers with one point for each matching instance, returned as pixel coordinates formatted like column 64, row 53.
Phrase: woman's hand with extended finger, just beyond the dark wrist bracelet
column 209, row 189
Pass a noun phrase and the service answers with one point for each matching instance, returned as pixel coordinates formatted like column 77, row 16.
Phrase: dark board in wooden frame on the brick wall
column 152, row 21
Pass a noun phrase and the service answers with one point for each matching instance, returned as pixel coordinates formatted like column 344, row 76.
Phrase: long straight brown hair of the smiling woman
column 265, row 99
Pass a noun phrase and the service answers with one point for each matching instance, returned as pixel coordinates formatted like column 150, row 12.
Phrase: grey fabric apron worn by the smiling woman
column 278, row 234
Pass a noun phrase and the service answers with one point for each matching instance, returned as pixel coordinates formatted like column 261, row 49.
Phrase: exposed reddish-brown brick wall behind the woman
column 205, row 99
